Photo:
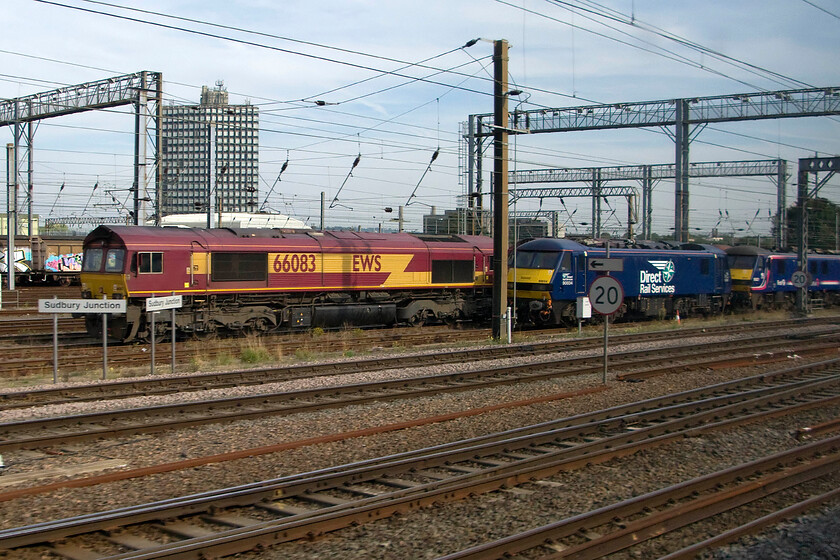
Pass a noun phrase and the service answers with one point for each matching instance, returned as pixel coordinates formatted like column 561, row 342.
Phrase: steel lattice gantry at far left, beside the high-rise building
column 143, row 90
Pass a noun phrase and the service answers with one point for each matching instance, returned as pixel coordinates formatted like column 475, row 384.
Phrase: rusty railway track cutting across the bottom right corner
column 669, row 509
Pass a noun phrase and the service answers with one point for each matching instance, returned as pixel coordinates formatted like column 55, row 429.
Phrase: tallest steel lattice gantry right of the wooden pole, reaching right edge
column 676, row 115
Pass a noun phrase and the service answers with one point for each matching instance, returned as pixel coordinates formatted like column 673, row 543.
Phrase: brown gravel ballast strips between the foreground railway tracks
column 435, row 531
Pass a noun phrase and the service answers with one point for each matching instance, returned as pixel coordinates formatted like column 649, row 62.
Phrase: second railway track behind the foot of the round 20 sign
column 219, row 380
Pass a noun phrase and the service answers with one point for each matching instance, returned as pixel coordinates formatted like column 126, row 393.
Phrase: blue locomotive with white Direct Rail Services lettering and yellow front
column 546, row 276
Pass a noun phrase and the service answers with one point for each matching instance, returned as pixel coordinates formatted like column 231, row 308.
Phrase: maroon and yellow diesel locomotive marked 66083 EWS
column 257, row 280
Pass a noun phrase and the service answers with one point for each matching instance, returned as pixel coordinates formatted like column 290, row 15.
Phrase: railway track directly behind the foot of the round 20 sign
column 44, row 432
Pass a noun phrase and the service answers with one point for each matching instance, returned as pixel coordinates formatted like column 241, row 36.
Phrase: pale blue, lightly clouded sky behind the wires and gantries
column 45, row 45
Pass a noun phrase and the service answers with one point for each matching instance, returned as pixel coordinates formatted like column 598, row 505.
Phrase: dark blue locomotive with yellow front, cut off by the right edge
column 761, row 279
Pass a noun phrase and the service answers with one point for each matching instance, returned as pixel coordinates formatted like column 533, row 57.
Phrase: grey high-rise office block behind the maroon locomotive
column 210, row 137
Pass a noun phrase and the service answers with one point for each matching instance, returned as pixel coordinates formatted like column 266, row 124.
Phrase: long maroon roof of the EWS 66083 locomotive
column 150, row 237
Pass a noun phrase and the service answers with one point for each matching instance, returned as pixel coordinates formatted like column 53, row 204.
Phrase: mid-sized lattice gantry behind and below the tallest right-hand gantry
column 649, row 174
